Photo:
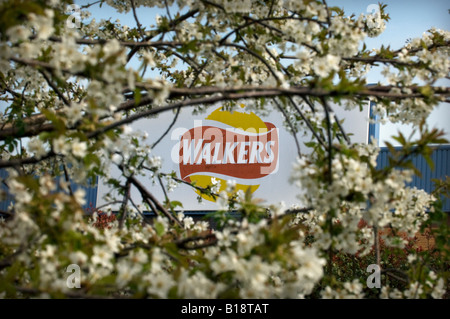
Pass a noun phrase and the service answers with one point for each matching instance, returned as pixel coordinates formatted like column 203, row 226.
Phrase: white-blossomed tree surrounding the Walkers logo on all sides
column 72, row 95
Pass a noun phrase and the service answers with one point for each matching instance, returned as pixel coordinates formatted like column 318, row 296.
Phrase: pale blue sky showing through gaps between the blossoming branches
column 409, row 19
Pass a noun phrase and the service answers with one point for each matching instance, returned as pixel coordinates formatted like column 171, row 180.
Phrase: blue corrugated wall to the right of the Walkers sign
column 441, row 159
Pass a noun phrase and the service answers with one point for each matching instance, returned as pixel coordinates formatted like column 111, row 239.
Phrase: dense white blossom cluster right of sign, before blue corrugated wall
column 355, row 194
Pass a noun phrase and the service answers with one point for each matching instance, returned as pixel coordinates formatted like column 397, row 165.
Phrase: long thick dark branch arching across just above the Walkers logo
column 213, row 94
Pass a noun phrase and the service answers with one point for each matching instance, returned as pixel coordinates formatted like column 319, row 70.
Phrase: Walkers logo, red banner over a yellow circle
column 228, row 145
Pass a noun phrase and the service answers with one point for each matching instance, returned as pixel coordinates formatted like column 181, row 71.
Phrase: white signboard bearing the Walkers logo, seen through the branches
column 256, row 152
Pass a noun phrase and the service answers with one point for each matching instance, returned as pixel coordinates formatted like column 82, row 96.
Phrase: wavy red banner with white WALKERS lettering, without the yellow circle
column 231, row 152
